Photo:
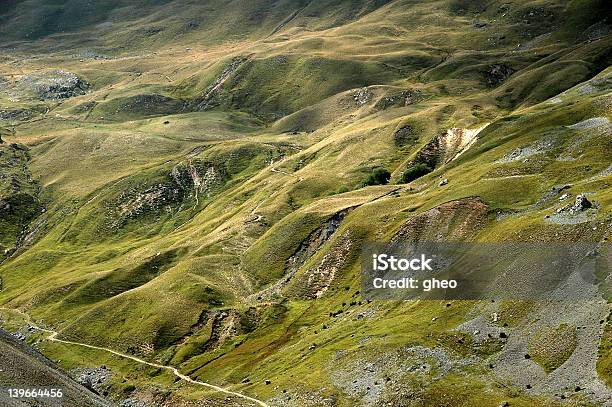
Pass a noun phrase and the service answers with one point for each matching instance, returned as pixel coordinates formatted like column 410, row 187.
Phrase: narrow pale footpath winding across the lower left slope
column 53, row 338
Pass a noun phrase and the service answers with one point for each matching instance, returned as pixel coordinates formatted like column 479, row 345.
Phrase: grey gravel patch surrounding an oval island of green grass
column 511, row 366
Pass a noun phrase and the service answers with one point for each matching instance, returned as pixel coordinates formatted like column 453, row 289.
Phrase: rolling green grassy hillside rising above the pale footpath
column 199, row 195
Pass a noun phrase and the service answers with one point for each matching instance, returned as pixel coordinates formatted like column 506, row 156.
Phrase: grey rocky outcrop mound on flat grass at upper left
column 53, row 85
